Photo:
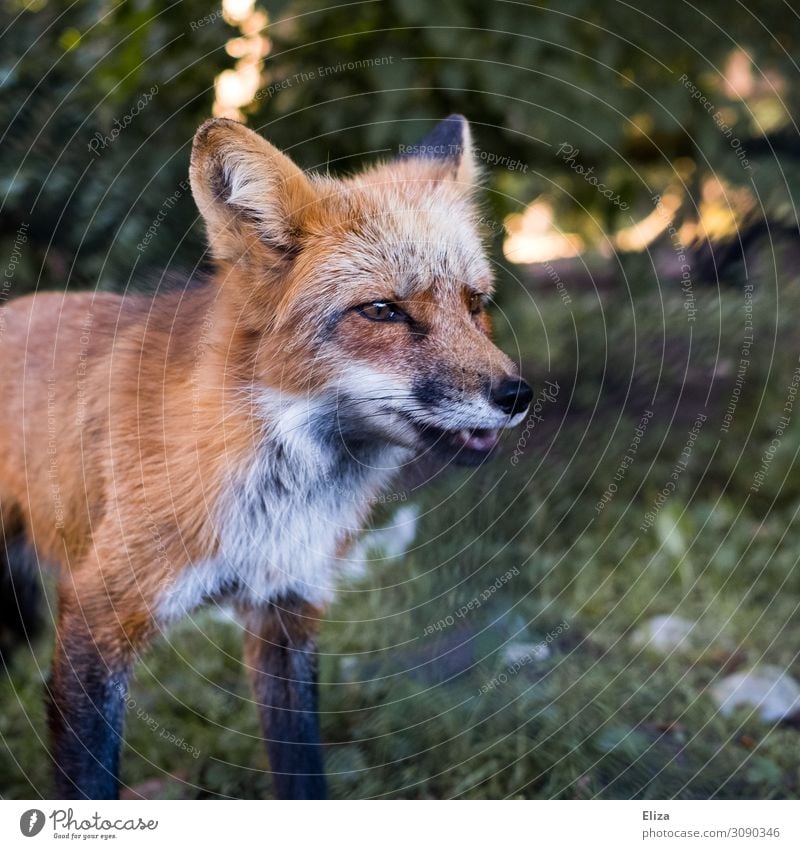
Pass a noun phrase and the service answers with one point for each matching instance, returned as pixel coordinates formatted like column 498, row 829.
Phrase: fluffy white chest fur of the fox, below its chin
column 280, row 525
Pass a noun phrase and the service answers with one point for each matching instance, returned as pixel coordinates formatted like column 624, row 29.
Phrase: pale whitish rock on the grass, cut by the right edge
column 768, row 688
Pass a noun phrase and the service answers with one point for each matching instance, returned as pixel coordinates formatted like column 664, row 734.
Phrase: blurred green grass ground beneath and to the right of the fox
column 409, row 707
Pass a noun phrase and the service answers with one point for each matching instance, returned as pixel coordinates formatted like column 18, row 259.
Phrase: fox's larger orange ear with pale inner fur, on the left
column 245, row 188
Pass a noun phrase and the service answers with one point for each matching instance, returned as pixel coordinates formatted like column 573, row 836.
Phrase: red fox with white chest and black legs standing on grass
column 225, row 441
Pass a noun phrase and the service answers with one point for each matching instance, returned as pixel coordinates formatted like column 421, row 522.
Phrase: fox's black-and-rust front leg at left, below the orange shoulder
column 88, row 690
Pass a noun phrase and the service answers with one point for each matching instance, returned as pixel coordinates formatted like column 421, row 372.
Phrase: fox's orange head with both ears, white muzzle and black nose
column 363, row 300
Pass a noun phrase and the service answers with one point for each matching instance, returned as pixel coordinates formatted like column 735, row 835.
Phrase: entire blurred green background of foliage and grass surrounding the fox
column 610, row 608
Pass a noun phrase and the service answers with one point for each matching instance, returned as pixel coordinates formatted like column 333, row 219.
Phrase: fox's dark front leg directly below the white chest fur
column 280, row 652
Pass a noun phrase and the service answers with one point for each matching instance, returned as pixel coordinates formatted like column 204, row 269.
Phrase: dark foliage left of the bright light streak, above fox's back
column 68, row 74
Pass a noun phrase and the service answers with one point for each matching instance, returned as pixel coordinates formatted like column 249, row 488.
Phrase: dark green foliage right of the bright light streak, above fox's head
column 604, row 78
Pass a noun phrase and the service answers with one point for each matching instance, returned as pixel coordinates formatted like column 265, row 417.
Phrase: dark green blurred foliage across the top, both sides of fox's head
column 344, row 83
